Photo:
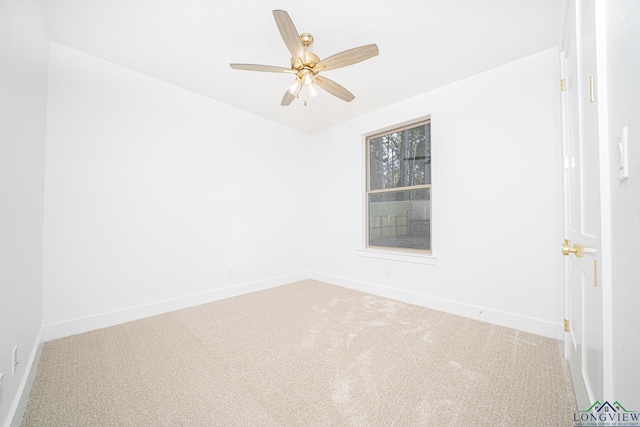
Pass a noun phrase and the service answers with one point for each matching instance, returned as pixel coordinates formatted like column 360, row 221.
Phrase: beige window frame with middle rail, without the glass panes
column 368, row 192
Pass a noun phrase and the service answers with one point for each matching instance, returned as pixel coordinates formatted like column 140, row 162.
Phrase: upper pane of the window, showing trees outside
column 400, row 159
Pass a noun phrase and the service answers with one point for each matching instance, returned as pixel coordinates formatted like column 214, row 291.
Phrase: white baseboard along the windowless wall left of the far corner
column 103, row 320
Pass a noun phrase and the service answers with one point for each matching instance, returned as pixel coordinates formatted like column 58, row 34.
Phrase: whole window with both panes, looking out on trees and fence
column 398, row 206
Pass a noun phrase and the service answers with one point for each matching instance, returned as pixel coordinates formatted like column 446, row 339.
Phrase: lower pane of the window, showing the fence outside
column 400, row 219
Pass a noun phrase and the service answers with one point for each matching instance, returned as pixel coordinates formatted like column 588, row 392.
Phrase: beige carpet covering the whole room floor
column 304, row 354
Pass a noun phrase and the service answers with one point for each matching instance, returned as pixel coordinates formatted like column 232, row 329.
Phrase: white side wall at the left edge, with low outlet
column 23, row 97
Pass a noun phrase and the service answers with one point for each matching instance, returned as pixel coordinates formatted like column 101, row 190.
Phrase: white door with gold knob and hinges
column 583, row 291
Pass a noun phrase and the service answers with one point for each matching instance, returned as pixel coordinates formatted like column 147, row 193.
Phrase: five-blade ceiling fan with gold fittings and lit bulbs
column 306, row 65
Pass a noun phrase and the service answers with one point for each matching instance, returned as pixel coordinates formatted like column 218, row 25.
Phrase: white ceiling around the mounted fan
column 424, row 44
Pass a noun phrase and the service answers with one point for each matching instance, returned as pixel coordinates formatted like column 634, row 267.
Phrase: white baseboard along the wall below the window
column 496, row 317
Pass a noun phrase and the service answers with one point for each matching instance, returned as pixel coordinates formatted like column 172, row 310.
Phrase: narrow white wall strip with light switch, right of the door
column 623, row 95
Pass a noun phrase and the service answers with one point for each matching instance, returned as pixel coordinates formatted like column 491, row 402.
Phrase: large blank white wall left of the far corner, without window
column 158, row 198
